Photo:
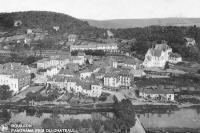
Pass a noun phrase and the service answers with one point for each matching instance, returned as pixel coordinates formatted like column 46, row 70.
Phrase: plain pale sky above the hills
column 108, row 9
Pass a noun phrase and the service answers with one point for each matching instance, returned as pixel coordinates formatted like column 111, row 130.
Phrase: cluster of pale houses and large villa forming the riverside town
column 92, row 70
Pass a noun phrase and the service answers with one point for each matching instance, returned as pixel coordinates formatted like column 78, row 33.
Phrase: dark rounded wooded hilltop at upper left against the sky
column 46, row 20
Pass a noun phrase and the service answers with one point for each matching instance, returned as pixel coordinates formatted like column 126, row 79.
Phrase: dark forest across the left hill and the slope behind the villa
column 140, row 39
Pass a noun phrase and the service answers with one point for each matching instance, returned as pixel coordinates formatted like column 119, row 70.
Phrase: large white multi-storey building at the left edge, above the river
column 15, row 75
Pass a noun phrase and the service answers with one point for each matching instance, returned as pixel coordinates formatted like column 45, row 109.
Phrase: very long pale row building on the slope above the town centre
column 111, row 47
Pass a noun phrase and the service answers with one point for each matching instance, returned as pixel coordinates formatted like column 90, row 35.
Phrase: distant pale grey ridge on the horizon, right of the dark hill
column 132, row 23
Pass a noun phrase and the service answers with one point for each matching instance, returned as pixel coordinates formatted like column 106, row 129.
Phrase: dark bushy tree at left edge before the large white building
column 5, row 92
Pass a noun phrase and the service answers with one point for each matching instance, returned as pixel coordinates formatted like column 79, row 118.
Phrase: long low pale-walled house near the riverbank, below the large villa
column 157, row 94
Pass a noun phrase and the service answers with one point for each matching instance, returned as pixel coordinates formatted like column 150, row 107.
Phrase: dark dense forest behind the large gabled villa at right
column 147, row 36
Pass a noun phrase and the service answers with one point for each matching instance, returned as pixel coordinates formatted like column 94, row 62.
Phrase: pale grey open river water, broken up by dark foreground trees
column 187, row 118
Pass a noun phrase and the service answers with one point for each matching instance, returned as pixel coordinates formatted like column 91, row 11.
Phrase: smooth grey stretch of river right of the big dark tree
column 183, row 118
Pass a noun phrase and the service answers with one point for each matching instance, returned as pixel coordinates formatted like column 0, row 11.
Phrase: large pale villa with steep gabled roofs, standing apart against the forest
column 159, row 55
